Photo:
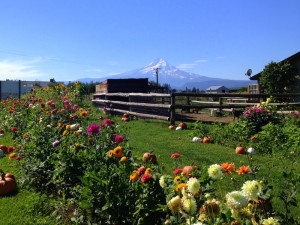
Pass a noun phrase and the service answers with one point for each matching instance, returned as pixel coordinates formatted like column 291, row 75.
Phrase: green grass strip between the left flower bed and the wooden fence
column 149, row 135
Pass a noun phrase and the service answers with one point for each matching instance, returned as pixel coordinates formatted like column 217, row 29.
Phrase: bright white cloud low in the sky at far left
column 20, row 69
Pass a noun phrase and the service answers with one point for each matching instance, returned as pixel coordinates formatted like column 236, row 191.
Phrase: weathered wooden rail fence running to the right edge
column 167, row 106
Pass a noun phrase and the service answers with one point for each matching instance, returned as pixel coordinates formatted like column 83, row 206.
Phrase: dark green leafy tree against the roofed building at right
column 279, row 77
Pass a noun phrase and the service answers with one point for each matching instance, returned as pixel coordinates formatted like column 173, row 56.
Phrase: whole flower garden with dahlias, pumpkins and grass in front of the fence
column 83, row 164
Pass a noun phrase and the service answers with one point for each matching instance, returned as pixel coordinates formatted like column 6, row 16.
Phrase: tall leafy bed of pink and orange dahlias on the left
column 70, row 154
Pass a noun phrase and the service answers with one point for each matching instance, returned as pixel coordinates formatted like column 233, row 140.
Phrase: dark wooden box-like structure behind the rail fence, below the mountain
column 130, row 85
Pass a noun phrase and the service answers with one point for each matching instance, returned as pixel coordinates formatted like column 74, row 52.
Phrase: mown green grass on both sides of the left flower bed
column 144, row 136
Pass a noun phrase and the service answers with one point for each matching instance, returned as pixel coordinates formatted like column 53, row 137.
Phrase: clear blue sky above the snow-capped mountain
column 71, row 39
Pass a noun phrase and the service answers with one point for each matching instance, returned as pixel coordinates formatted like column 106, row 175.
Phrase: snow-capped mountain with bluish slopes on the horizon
column 169, row 74
